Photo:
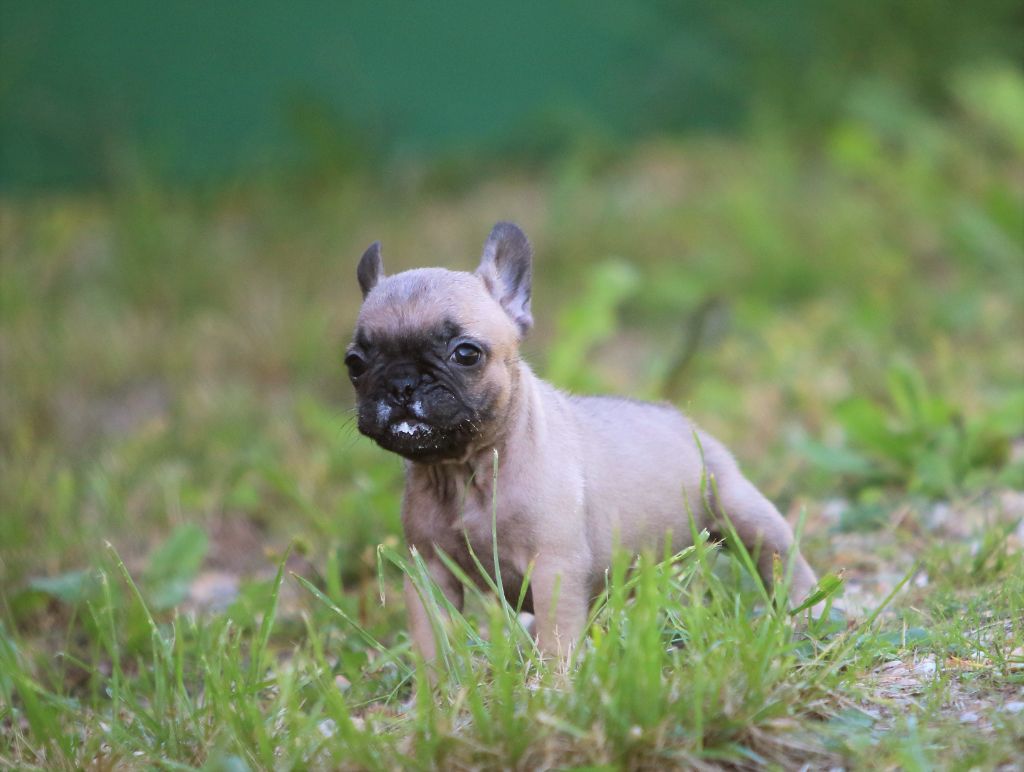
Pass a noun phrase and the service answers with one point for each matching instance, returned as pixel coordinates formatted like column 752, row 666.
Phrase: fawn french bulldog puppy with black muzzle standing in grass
column 437, row 369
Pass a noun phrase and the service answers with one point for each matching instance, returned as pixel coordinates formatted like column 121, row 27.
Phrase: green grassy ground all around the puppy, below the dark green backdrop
column 200, row 560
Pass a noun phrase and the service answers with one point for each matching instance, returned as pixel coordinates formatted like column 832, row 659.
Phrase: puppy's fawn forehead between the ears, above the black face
column 431, row 304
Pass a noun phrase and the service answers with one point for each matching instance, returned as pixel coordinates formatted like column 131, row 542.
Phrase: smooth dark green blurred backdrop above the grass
column 194, row 91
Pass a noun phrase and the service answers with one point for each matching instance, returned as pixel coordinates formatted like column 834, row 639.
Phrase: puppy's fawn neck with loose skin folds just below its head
column 515, row 440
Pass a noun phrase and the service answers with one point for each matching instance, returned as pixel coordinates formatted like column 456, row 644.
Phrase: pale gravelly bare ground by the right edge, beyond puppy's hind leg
column 970, row 688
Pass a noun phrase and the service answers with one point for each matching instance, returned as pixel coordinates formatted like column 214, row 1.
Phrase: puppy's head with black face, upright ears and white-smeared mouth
column 435, row 358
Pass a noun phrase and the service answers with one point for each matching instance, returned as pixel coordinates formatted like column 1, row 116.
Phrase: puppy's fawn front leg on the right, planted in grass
column 561, row 605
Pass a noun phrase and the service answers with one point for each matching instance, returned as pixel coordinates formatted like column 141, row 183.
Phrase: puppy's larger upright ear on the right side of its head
column 507, row 271
